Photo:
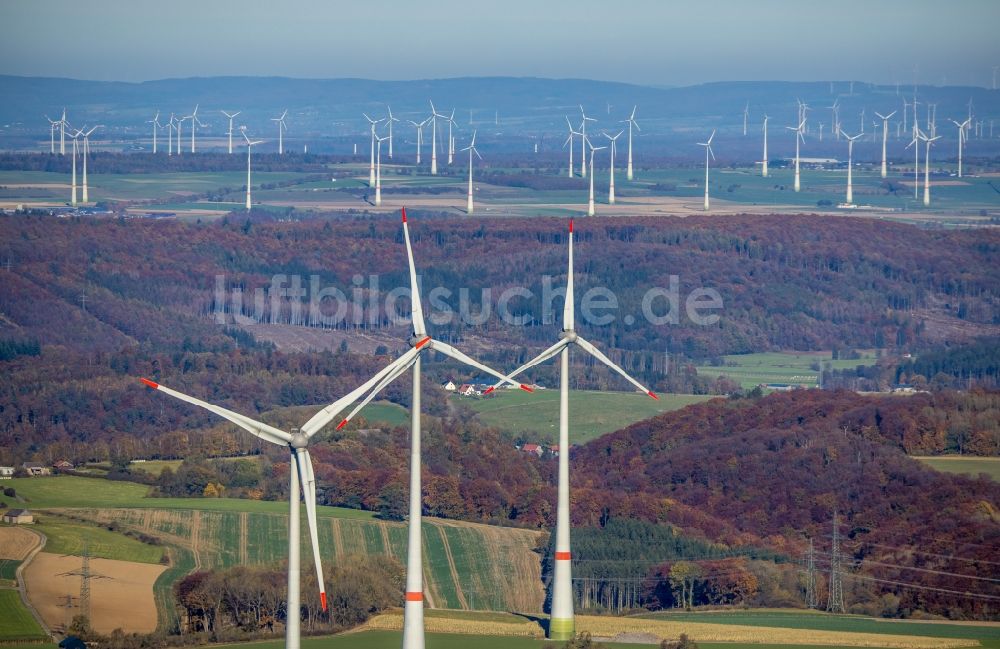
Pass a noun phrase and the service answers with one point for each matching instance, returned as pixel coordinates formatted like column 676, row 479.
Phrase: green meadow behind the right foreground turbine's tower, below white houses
column 592, row 413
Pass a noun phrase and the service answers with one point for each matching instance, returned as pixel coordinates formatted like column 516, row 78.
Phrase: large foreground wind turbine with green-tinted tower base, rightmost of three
column 561, row 623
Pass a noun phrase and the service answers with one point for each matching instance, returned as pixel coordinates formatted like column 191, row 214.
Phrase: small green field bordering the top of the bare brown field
column 67, row 537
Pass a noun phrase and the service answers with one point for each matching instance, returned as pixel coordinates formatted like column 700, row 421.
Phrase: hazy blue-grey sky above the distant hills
column 654, row 42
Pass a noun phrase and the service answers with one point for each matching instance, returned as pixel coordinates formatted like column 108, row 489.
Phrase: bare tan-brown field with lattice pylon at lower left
column 123, row 600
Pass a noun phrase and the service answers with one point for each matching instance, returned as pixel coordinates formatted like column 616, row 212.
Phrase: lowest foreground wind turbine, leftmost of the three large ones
column 301, row 478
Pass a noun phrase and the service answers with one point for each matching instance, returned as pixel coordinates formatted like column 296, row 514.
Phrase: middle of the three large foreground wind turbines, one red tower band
column 420, row 342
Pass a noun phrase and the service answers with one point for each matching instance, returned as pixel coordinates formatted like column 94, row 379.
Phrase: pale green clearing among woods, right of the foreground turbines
column 750, row 370
